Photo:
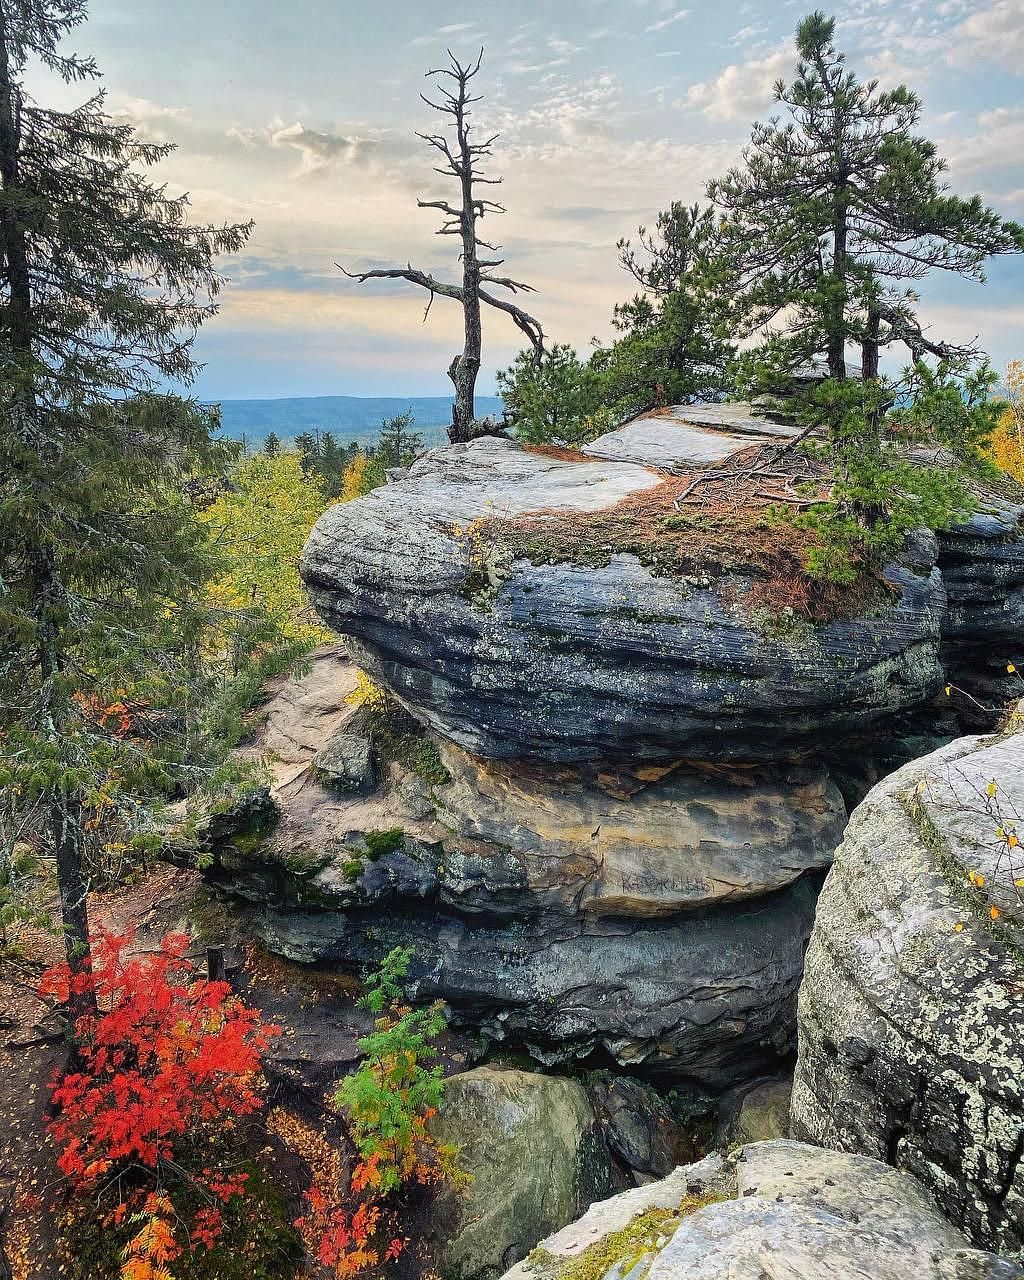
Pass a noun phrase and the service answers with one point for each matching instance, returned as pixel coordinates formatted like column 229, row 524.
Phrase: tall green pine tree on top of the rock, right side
column 839, row 209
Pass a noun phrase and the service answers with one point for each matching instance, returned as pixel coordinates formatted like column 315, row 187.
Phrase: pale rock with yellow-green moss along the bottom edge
column 774, row 1212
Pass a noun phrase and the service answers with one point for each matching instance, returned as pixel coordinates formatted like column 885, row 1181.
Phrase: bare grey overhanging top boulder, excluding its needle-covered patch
column 564, row 662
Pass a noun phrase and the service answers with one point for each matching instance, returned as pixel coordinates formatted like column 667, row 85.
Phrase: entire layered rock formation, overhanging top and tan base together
column 612, row 849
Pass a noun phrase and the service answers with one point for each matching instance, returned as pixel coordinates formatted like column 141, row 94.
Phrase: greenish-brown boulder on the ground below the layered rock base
column 536, row 1158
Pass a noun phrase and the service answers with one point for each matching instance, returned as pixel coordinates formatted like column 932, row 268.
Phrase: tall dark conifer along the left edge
column 103, row 286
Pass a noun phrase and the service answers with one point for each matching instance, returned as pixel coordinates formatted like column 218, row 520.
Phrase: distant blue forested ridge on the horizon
column 349, row 418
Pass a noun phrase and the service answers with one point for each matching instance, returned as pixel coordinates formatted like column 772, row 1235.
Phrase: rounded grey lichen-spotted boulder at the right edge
column 912, row 1011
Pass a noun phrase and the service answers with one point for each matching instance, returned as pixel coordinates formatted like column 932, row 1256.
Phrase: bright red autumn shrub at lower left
column 167, row 1063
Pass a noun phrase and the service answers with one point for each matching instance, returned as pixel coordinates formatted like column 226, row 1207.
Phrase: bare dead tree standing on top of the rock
column 463, row 159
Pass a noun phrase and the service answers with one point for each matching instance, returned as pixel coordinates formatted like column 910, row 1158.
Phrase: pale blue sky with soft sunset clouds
column 303, row 117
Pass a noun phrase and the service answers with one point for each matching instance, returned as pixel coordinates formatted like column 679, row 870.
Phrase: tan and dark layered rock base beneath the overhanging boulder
column 653, row 917
